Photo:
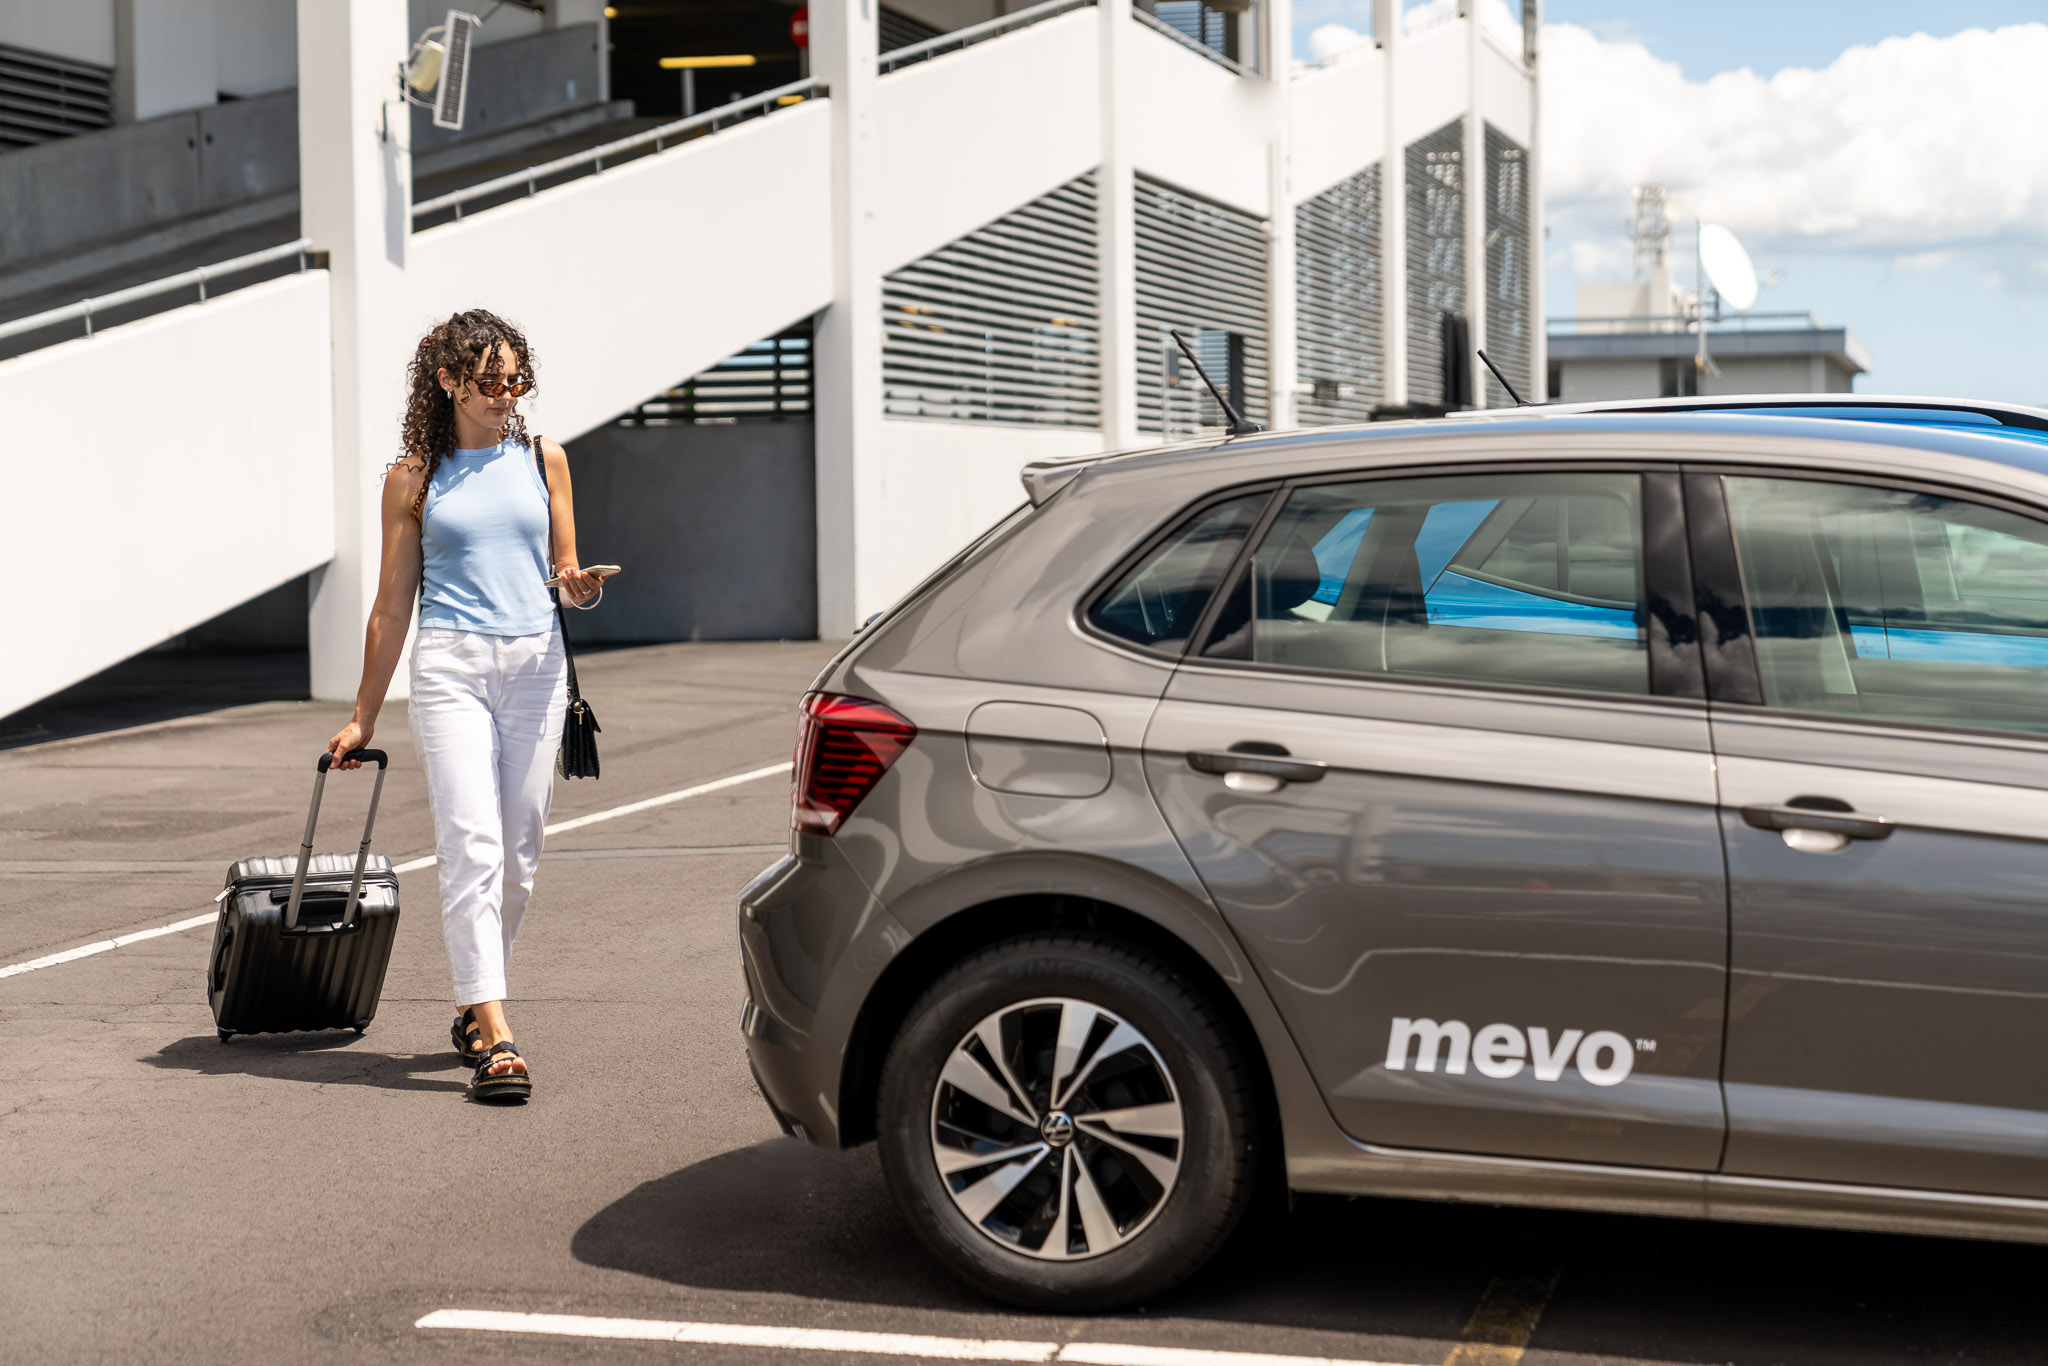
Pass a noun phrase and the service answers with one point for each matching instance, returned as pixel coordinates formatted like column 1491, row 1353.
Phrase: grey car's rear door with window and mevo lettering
column 1443, row 765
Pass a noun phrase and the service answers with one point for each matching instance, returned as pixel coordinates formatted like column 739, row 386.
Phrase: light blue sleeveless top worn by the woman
column 484, row 544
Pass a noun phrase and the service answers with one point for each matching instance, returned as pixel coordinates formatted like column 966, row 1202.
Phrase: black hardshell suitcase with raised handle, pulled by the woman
column 304, row 943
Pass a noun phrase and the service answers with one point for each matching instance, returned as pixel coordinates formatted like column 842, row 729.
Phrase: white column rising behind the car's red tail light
column 849, row 359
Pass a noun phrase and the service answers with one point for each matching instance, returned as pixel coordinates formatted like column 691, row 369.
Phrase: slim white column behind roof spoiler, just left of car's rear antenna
column 1117, row 239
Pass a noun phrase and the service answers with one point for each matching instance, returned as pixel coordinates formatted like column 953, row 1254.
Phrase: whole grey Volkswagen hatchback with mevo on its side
column 1635, row 812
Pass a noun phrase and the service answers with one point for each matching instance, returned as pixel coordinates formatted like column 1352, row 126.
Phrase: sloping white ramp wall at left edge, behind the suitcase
column 216, row 493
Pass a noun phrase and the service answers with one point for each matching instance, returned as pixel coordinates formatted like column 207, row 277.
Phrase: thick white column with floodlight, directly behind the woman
column 355, row 204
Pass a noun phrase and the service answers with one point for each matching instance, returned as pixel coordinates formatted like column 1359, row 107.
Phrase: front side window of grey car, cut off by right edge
column 1895, row 605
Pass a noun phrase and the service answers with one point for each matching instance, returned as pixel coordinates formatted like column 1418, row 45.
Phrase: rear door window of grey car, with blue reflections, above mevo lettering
column 1527, row 581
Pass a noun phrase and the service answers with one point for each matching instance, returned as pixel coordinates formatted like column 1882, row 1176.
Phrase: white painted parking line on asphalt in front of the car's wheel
column 869, row 1344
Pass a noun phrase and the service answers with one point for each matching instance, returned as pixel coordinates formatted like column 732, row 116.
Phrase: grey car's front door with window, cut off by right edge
column 1885, row 785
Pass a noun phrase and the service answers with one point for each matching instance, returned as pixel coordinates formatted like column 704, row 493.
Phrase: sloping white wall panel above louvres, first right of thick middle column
column 992, row 128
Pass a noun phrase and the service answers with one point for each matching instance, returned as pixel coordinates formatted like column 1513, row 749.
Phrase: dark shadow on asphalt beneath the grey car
column 792, row 1220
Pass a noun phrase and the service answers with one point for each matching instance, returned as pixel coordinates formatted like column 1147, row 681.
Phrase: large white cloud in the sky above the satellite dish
column 1914, row 146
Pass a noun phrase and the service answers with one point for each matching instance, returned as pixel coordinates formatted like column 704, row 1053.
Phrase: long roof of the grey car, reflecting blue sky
column 2010, row 458
